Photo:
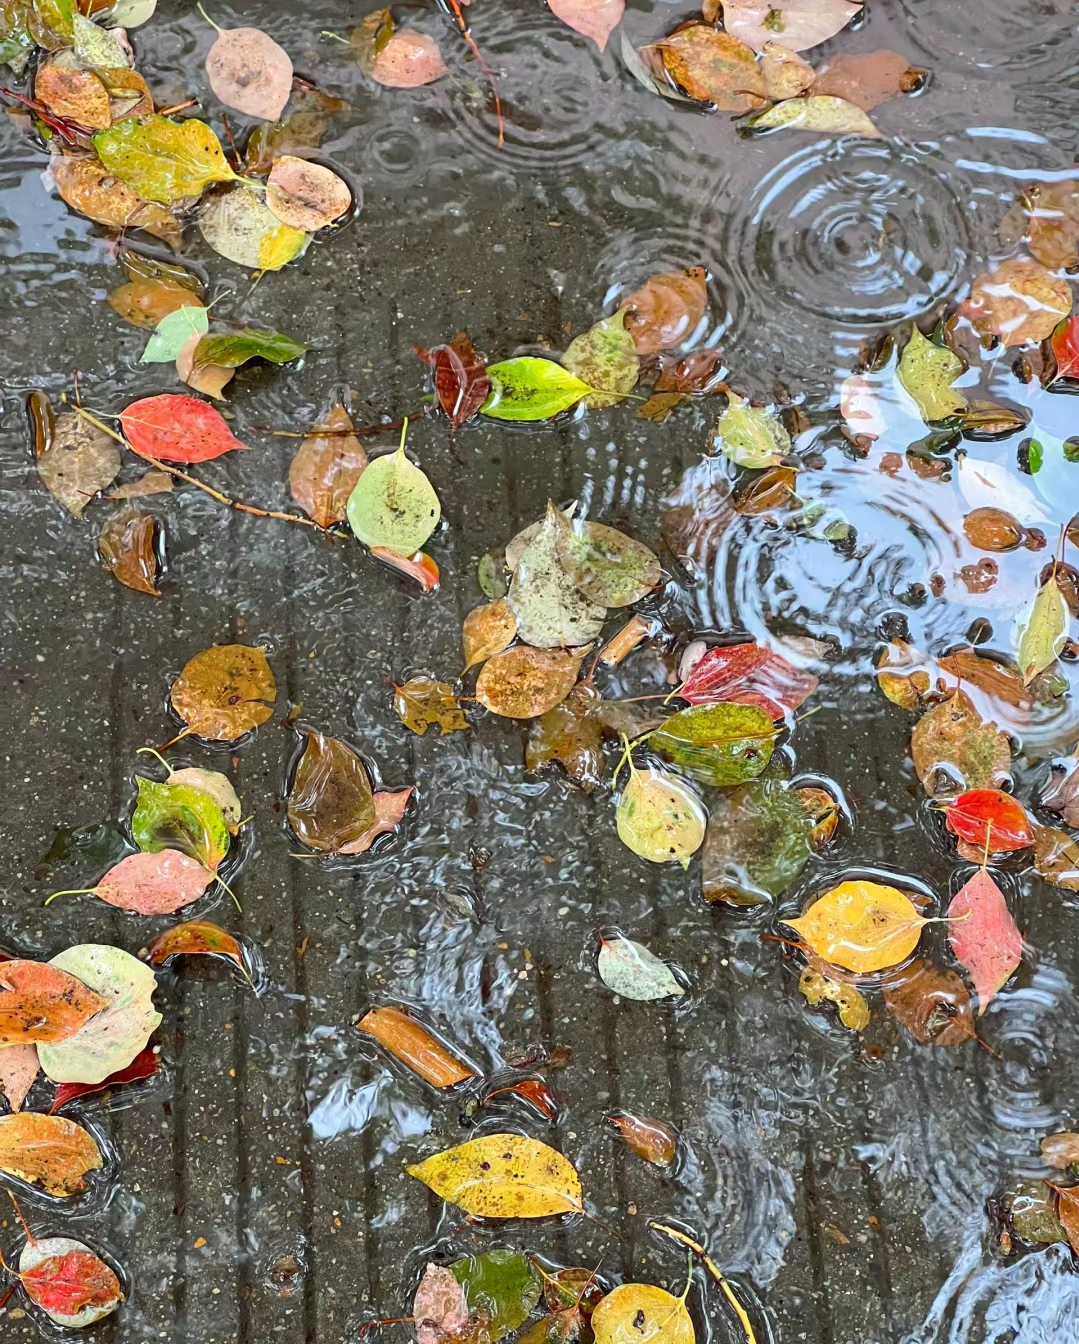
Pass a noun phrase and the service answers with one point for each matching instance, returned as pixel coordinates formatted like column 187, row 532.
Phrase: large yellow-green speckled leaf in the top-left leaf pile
column 163, row 161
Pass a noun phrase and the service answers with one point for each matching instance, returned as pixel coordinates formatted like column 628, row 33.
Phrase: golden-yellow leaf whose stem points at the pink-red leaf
column 863, row 927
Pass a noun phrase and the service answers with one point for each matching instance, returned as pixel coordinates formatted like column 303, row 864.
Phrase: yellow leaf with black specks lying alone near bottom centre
column 503, row 1177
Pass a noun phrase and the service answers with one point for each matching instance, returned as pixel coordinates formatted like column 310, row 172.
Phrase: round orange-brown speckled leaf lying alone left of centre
column 225, row 691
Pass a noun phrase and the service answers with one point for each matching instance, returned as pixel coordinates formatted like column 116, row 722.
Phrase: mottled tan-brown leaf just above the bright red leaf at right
column 955, row 749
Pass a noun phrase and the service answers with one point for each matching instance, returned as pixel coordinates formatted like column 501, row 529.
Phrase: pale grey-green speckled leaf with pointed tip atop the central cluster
column 546, row 601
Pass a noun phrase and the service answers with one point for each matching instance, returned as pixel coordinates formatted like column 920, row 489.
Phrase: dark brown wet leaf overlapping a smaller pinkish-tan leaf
column 330, row 802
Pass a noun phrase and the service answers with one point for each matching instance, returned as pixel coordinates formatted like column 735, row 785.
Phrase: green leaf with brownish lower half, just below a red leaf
column 718, row 744
